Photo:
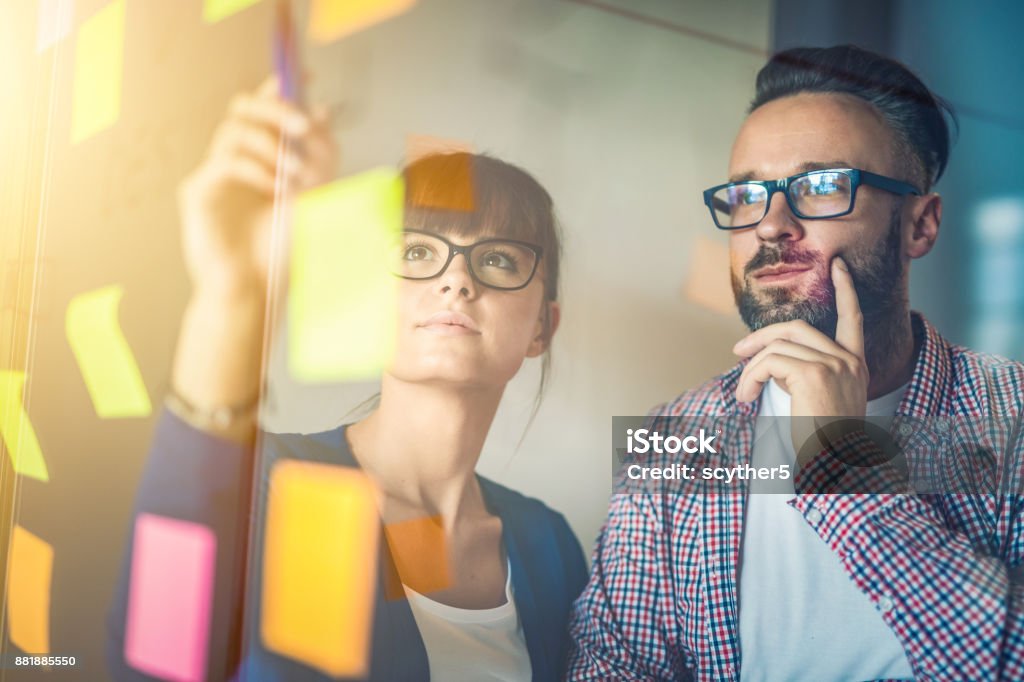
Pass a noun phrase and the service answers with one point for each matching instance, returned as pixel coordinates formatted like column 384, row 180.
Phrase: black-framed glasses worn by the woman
column 505, row 265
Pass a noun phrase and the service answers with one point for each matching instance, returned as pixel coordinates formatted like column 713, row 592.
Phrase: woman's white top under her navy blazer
column 473, row 646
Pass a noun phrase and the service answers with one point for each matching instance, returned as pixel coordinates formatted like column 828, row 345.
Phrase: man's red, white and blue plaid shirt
column 942, row 569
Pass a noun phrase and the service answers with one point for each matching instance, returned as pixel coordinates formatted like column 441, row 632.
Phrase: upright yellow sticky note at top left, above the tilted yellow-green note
column 99, row 72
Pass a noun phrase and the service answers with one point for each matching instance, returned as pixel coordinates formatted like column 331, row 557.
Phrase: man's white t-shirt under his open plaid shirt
column 801, row 617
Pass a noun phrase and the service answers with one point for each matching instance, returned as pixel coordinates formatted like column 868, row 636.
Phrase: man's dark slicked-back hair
column 915, row 114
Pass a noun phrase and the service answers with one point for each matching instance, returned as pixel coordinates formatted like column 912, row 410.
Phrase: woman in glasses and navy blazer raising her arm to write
column 478, row 297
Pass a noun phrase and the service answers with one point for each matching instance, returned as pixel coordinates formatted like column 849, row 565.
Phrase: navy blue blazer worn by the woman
column 198, row 478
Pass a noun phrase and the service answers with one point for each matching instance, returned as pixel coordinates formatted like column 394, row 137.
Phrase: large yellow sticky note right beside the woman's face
column 344, row 297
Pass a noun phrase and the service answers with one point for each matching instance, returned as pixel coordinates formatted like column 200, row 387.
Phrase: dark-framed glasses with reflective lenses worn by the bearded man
column 815, row 196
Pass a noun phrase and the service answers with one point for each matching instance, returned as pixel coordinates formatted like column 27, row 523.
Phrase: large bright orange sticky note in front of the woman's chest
column 320, row 567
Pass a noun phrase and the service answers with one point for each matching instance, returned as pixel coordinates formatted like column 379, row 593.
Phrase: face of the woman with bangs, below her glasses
column 454, row 330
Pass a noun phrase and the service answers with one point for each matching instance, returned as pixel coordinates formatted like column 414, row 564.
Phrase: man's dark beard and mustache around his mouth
column 877, row 273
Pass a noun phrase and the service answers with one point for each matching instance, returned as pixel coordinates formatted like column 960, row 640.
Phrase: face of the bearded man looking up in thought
column 781, row 268
